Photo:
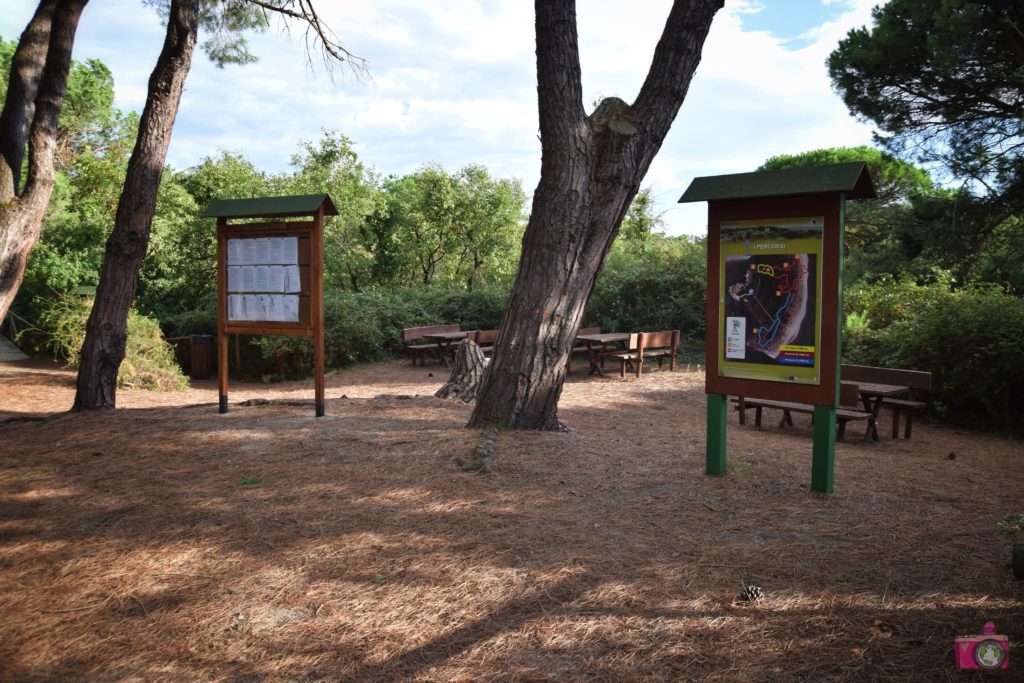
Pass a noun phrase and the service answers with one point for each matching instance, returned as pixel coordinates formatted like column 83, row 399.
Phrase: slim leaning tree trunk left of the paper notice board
column 106, row 333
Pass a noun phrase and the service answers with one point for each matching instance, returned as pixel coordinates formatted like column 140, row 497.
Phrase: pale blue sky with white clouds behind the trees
column 453, row 82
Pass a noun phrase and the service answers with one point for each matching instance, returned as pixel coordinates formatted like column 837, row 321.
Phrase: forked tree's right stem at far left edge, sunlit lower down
column 22, row 218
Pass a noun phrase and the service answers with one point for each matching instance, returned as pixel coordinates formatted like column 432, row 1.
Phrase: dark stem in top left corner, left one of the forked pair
column 19, row 108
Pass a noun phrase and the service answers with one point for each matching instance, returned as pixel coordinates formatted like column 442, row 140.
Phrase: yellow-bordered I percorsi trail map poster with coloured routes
column 771, row 309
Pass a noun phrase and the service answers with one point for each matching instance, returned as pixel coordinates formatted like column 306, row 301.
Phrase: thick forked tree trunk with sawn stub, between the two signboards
column 591, row 169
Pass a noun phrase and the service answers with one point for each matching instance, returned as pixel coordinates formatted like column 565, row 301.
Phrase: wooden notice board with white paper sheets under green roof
column 271, row 274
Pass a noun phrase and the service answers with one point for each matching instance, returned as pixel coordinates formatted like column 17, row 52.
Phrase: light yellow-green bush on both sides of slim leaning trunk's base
column 149, row 360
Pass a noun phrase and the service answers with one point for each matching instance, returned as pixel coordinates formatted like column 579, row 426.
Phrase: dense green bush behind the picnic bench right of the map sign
column 971, row 339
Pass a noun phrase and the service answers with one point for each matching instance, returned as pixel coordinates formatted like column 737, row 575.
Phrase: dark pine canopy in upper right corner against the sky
column 945, row 80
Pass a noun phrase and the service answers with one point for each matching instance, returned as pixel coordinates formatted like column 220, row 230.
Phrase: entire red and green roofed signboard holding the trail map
column 775, row 295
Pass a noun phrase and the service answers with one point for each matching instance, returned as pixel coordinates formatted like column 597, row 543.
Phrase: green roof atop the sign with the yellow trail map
column 851, row 179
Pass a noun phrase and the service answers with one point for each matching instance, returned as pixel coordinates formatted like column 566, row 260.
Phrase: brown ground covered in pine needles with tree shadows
column 164, row 542
